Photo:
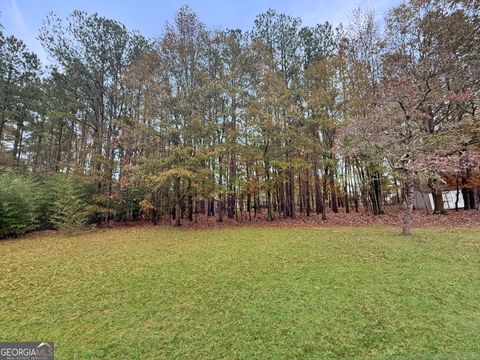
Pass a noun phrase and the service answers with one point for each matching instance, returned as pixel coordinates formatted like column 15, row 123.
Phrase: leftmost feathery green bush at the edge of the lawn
column 18, row 205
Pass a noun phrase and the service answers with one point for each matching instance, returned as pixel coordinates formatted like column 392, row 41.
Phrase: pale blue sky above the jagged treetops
column 24, row 17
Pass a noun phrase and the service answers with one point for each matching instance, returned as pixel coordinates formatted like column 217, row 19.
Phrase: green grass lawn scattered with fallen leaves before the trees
column 244, row 293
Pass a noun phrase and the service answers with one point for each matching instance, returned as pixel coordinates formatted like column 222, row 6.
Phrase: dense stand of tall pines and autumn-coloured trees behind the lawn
column 281, row 121
